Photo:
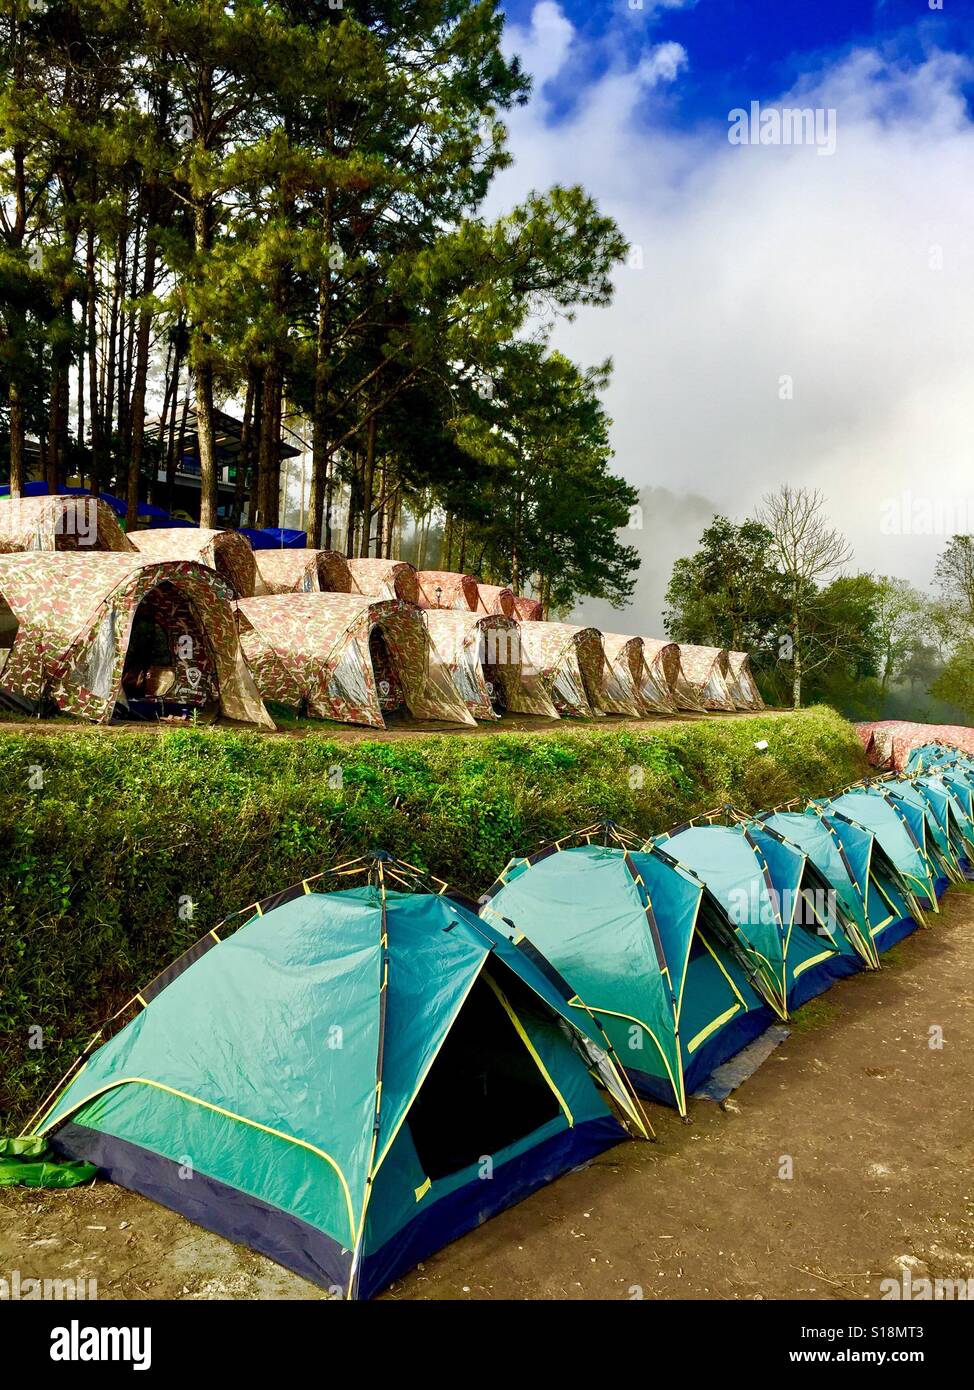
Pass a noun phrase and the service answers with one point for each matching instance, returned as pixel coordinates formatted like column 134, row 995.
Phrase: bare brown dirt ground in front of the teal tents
column 879, row 1125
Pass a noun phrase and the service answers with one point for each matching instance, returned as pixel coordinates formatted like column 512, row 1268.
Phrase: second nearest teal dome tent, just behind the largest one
column 645, row 946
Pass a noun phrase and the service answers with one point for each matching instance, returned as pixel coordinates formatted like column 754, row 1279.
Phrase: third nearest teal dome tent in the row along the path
column 776, row 904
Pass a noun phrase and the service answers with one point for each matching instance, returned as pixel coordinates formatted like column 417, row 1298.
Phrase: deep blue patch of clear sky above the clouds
column 741, row 51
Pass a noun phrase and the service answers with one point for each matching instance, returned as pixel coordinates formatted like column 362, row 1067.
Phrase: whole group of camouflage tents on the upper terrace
column 174, row 622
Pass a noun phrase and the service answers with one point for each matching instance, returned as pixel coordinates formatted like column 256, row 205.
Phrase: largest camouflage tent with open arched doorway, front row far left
column 94, row 632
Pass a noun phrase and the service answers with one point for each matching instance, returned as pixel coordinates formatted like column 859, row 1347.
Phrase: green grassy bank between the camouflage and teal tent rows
column 106, row 837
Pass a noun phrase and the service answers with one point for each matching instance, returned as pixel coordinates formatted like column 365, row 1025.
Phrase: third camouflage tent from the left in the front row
column 483, row 654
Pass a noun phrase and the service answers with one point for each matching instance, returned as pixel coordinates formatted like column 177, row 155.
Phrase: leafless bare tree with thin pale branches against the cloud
column 809, row 551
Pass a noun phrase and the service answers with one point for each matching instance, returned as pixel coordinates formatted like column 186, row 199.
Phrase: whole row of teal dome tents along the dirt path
column 359, row 1077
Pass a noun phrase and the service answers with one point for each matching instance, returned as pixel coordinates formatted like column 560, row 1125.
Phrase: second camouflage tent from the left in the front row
column 348, row 658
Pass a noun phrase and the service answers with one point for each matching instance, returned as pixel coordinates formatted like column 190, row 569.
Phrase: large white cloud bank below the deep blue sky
column 851, row 275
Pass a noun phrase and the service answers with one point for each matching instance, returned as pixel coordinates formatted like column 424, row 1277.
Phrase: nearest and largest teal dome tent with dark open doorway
column 341, row 1068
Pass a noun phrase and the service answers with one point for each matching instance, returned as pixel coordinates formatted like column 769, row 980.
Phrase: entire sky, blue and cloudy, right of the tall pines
column 786, row 316
